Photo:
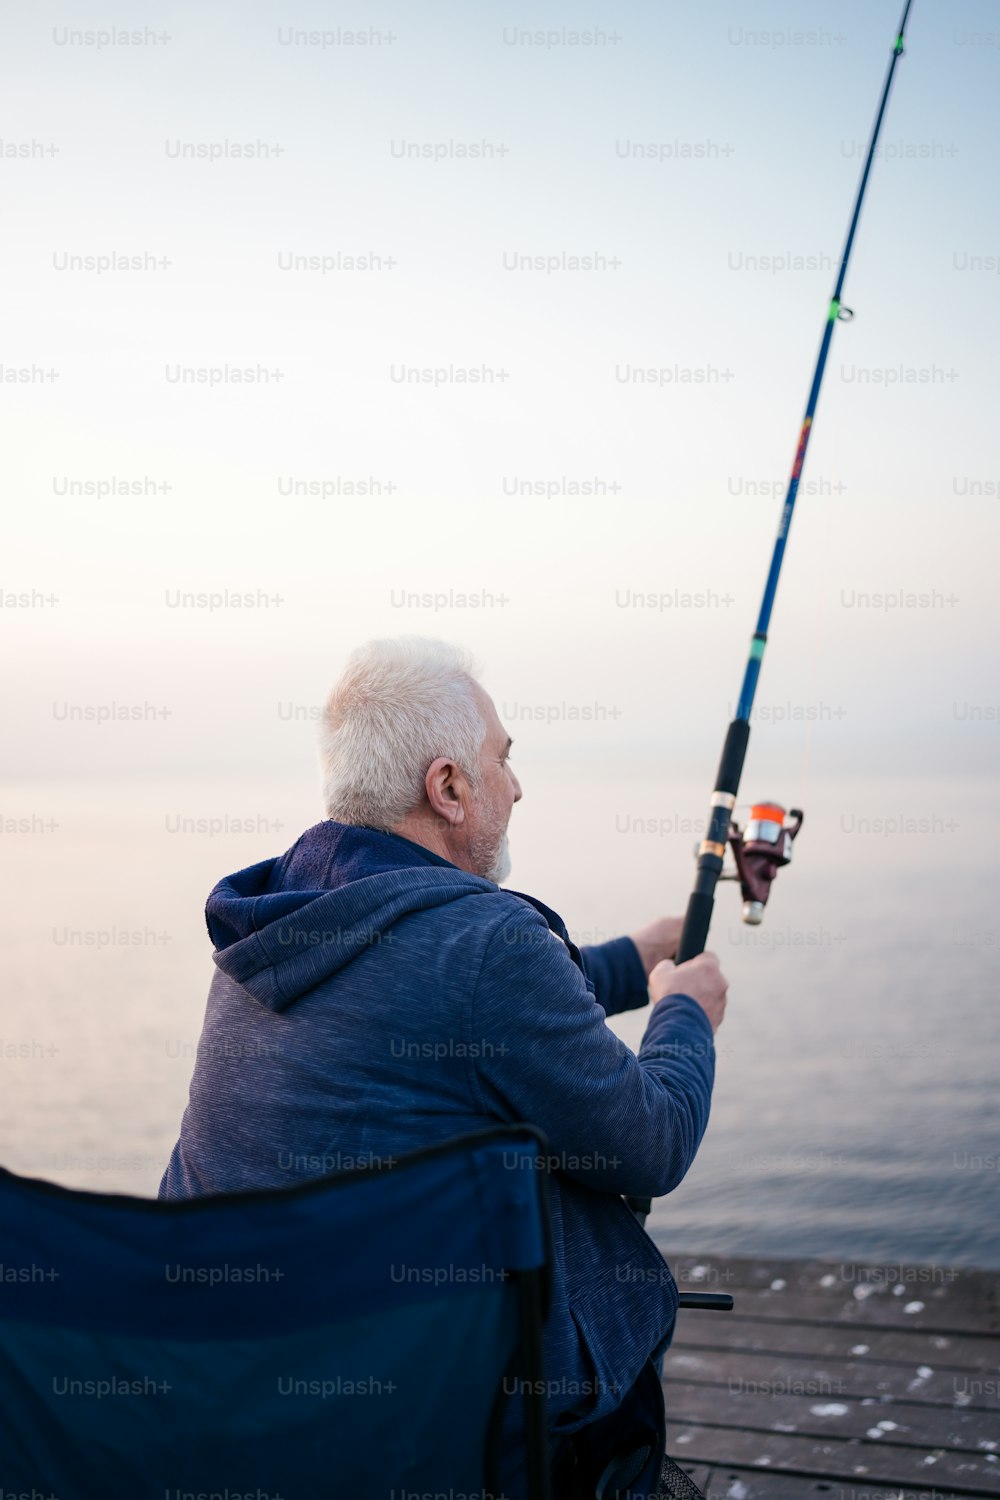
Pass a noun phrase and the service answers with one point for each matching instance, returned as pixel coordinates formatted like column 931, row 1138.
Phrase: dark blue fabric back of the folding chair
column 346, row 1340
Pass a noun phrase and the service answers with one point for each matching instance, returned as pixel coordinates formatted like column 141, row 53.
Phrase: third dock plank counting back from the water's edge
column 833, row 1379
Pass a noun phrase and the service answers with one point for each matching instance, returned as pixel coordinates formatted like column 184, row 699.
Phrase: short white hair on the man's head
column 398, row 706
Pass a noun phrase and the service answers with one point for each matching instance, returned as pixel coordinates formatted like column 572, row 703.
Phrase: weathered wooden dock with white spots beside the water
column 837, row 1382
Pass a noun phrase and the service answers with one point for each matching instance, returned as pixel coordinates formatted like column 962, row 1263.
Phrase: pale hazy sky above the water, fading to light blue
column 448, row 259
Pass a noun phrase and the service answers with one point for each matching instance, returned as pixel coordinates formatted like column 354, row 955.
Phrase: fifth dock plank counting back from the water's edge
column 833, row 1460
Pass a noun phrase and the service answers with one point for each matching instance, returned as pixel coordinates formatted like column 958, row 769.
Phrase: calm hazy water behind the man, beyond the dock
column 857, row 1112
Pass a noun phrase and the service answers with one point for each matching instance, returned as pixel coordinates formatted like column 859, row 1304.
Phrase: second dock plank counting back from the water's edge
column 908, row 1346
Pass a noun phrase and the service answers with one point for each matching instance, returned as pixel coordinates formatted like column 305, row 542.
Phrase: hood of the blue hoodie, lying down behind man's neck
column 287, row 925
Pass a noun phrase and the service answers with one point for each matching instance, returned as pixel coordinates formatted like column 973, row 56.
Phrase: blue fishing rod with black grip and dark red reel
column 765, row 845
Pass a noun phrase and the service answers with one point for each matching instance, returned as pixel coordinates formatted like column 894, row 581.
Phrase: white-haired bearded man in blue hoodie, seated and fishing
column 379, row 992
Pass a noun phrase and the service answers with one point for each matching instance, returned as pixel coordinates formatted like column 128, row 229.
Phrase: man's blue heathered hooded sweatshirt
column 373, row 998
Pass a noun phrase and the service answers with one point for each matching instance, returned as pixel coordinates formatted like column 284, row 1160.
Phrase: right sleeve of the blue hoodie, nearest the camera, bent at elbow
column 615, row 1121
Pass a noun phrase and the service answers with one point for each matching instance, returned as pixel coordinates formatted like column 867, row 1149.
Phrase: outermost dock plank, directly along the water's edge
column 836, row 1292
